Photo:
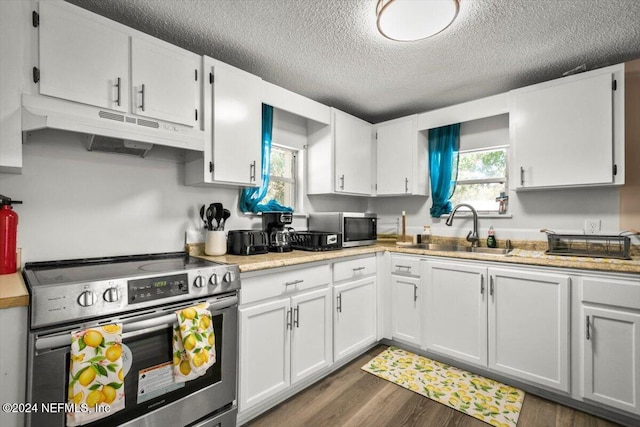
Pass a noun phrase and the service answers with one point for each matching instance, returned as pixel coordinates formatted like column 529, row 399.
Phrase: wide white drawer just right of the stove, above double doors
column 271, row 285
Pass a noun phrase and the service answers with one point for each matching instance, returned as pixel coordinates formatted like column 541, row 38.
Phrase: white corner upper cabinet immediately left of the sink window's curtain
column 402, row 167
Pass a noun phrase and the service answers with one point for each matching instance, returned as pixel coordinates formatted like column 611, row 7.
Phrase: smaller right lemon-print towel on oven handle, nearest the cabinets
column 194, row 348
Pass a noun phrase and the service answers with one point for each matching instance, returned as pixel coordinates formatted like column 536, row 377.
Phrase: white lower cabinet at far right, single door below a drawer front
column 611, row 343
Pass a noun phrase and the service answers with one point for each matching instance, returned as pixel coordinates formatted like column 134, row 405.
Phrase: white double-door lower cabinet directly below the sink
column 514, row 321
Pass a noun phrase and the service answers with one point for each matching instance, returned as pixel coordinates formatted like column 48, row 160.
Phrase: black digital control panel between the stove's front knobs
column 153, row 288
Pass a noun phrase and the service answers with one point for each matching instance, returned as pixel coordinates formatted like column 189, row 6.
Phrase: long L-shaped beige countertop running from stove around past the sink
column 517, row 256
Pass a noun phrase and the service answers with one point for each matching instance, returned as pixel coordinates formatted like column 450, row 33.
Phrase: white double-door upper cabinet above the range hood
column 88, row 59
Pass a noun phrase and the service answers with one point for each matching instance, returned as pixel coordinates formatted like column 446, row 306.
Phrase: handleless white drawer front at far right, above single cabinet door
column 621, row 293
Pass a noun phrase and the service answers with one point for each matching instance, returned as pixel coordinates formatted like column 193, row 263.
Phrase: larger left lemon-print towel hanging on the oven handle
column 96, row 377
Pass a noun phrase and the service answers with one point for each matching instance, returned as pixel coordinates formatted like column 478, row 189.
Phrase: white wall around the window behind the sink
column 528, row 212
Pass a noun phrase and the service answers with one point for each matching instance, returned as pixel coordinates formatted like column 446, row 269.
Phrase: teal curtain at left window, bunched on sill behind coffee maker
column 250, row 198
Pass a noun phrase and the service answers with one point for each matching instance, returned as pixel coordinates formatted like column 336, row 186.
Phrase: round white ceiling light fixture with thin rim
column 410, row 20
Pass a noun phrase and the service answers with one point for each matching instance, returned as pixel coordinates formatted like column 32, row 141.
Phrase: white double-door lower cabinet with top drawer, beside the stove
column 284, row 339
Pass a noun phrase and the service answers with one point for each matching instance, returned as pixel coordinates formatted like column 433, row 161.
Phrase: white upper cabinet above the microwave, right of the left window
column 340, row 157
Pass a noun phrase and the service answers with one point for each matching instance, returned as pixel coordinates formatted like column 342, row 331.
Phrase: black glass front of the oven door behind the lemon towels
column 152, row 355
